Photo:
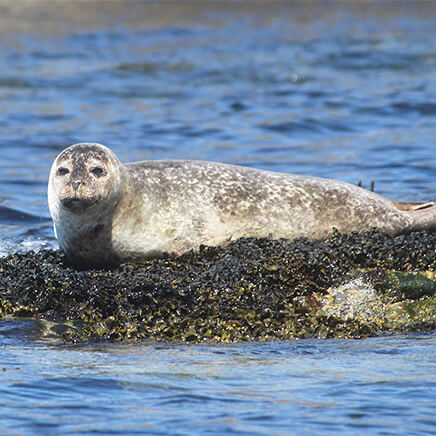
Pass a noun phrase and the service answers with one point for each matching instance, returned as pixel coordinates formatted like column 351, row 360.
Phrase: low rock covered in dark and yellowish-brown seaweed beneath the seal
column 252, row 289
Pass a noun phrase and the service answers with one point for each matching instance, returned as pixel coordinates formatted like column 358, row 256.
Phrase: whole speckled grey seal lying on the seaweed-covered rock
column 105, row 212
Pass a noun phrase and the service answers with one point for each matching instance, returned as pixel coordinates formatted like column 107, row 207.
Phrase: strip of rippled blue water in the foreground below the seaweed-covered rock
column 374, row 386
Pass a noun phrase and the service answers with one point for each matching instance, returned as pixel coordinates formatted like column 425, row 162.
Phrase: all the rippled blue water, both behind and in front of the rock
column 345, row 91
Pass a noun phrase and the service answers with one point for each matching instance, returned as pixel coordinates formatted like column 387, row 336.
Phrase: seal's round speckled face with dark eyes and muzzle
column 86, row 175
